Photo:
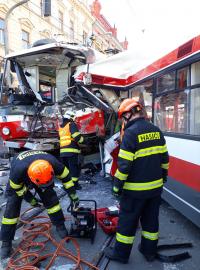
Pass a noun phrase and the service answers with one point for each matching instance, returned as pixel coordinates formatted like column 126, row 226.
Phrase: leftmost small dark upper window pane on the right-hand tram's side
column 166, row 82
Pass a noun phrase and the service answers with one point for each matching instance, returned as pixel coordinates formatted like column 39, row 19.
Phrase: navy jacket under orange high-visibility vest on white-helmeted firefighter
column 70, row 138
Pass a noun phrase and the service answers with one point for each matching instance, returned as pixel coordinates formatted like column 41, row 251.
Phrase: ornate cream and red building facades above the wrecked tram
column 73, row 21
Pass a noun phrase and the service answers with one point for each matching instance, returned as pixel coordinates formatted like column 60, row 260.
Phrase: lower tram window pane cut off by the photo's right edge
column 195, row 112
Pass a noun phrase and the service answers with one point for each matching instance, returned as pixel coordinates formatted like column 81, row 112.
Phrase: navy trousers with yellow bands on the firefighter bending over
column 13, row 206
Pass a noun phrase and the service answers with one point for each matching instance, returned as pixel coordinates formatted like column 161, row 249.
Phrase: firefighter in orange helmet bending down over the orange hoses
column 35, row 169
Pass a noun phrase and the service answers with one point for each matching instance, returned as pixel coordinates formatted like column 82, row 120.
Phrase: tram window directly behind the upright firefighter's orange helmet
column 143, row 93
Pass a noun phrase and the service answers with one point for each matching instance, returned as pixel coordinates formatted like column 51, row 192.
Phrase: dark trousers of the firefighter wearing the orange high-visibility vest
column 72, row 163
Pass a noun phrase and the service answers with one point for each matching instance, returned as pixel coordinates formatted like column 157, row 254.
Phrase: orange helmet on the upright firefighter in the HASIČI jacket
column 127, row 105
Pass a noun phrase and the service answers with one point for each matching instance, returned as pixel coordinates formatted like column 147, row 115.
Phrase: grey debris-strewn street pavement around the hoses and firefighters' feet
column 174, row 228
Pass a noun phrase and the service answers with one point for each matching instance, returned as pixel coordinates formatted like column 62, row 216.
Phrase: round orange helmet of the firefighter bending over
column 41, row 172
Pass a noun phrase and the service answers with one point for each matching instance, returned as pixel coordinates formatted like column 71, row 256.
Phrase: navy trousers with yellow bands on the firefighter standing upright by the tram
column 131, row 211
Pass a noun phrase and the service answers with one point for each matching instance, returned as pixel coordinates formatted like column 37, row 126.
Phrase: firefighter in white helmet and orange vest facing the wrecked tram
column 70, row 139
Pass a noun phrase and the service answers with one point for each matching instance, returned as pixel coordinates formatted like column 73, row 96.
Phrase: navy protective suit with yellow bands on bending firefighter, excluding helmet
column 19, row 184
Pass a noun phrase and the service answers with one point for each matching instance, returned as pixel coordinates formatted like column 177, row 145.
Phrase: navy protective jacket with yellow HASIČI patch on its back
column 143, row 160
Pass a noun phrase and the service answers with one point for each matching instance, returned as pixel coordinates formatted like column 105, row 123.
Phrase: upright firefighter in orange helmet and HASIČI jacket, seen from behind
column 142, row 169
